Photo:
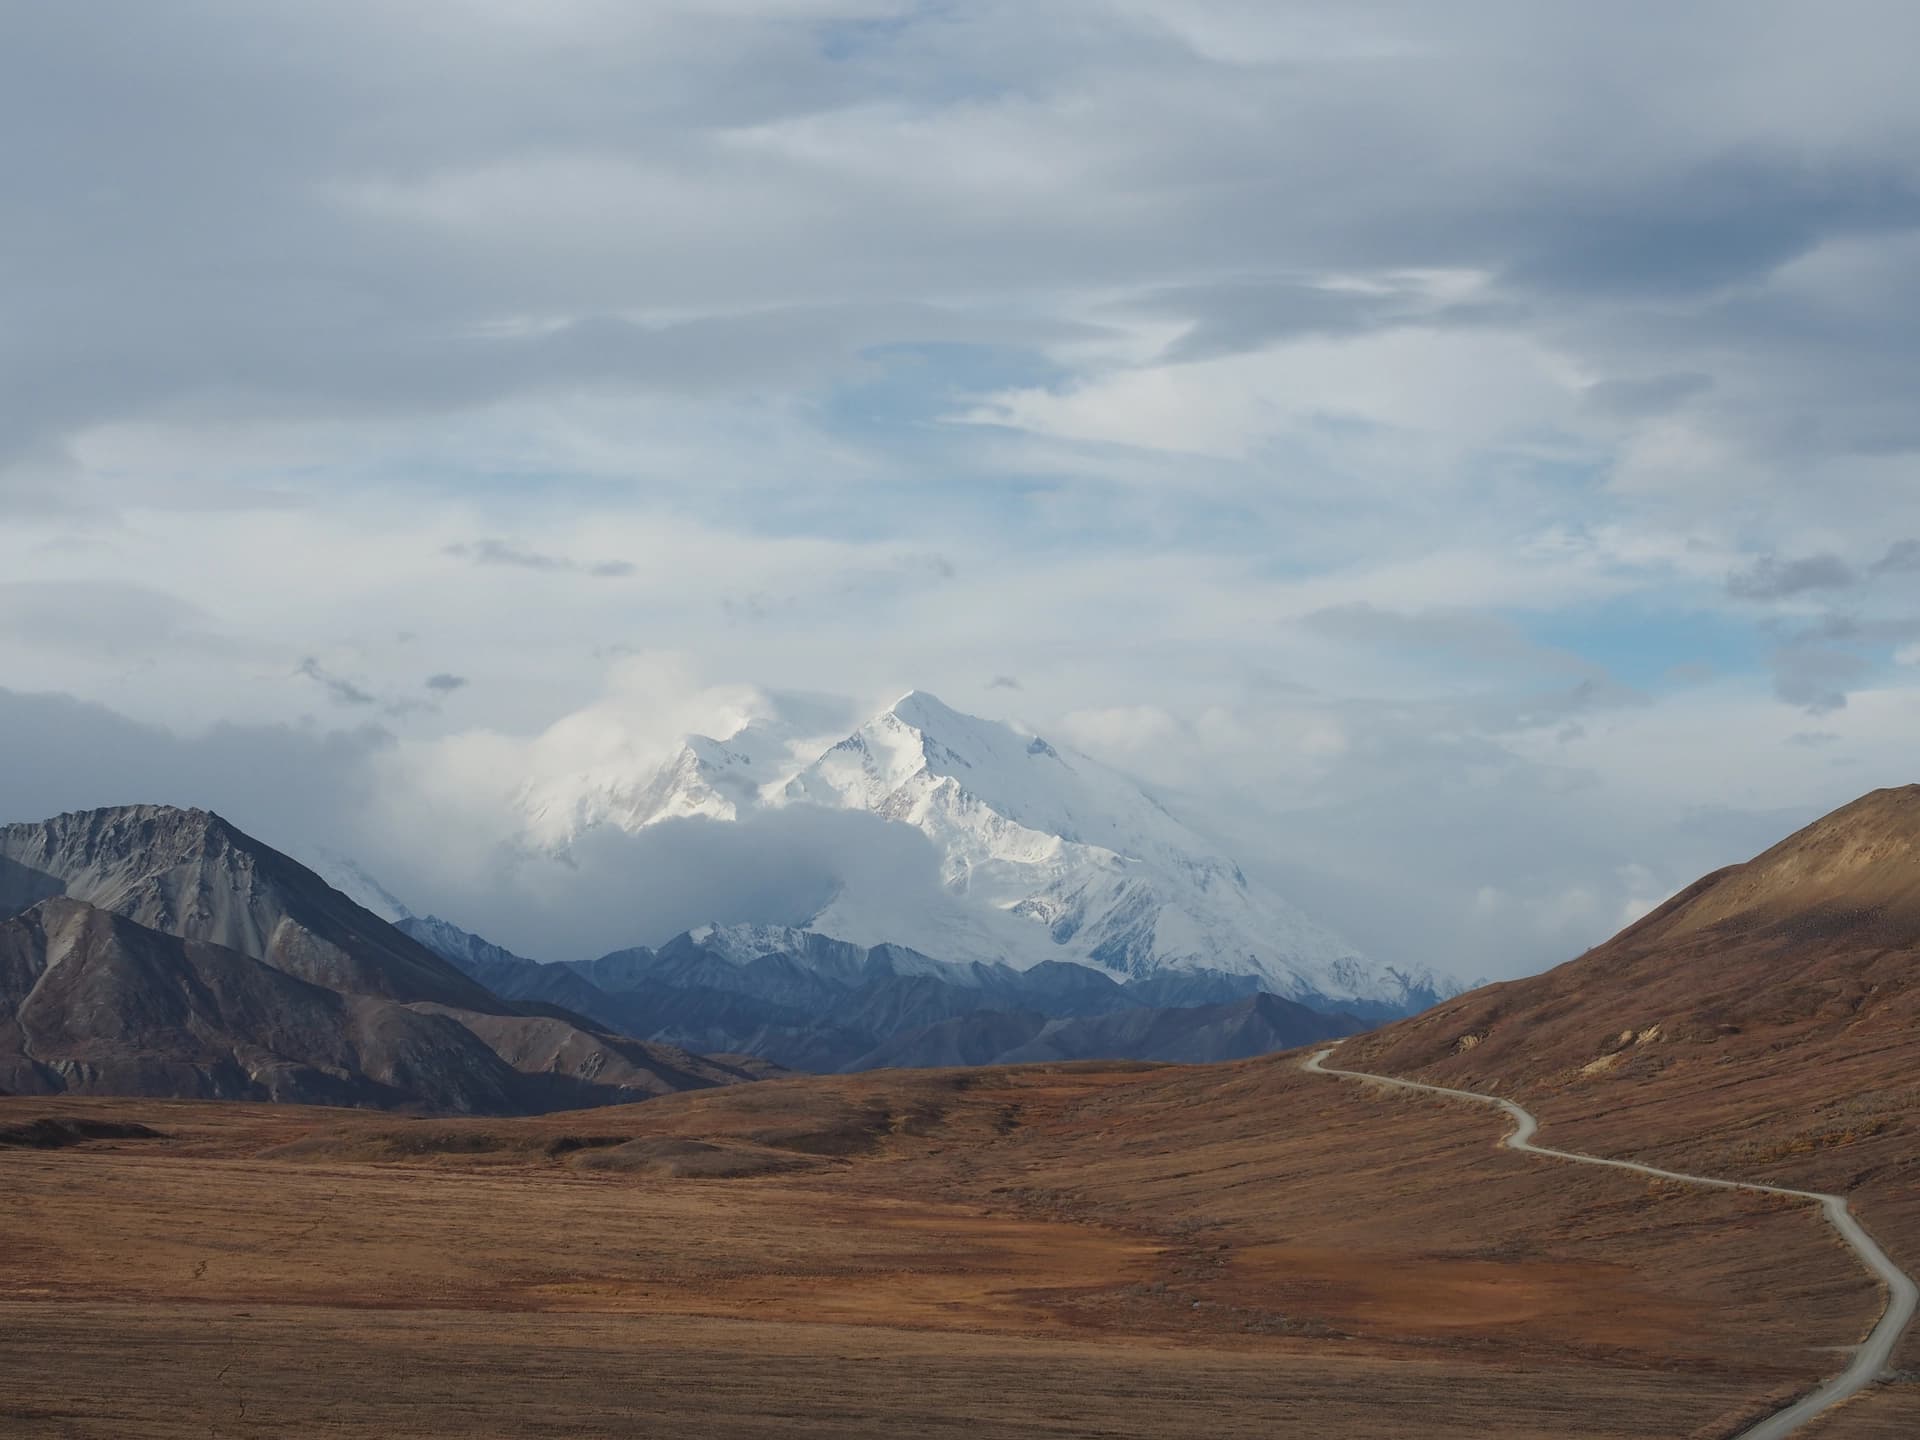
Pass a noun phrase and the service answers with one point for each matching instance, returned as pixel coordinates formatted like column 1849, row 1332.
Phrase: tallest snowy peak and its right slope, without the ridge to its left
column 1049, row 855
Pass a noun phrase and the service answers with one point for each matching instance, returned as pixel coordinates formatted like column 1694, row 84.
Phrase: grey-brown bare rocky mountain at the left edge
column 158, row 951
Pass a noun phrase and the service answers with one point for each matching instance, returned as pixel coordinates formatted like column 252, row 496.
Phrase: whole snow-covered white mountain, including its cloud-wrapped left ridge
column 1044, row 853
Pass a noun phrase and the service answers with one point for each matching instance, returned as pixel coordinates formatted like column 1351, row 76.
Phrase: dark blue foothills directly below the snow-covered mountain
column 813, row 1003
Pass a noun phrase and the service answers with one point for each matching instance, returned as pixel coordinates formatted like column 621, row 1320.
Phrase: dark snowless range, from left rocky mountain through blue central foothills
column 160, row 951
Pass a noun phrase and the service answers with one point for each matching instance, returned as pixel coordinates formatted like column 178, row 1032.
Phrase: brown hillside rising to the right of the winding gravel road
column 1764, row 1024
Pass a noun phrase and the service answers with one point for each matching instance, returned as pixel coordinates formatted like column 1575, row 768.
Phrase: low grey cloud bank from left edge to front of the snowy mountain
column 306, row 792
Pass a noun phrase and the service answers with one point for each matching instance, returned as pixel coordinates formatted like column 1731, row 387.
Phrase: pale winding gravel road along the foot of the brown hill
column 1871, row 1358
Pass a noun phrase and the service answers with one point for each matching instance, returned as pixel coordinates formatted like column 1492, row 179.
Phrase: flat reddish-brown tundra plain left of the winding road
column 1122, row 1251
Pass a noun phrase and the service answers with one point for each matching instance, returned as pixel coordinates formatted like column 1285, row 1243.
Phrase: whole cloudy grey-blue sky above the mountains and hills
column 1464, row 456
